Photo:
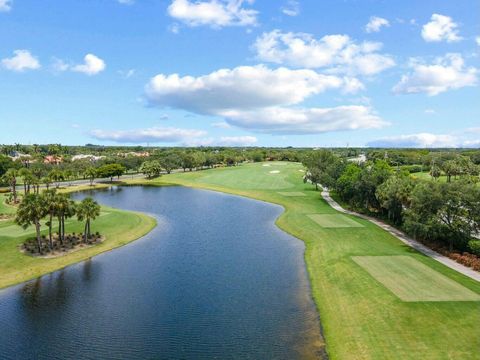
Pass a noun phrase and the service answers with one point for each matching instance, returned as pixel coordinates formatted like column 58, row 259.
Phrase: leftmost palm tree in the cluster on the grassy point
column 30, row 211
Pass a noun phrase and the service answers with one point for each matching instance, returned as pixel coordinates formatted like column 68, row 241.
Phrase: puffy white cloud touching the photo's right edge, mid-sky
column 446, row 73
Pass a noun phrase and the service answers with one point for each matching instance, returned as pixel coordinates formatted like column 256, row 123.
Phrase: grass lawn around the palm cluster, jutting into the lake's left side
column 119, row 228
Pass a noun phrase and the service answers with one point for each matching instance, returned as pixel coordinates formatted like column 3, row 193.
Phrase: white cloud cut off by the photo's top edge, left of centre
column 214, row 13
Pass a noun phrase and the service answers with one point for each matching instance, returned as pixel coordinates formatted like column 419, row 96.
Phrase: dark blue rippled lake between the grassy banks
column 215, row 279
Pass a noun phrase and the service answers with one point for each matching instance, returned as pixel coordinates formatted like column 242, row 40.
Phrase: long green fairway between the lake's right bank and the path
column 362, row 317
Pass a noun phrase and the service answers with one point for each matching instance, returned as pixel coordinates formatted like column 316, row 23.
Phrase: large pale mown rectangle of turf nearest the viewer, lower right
column 410, row 280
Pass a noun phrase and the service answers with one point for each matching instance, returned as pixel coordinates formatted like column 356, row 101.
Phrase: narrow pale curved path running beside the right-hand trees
column 405, row 239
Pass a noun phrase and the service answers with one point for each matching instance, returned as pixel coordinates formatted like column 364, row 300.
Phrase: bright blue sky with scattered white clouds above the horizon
column 232, row 72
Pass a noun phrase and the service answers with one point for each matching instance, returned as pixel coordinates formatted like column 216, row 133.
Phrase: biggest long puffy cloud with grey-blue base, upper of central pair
column 244, row 87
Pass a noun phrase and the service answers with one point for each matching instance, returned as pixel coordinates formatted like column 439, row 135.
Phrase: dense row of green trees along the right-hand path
column 444, row 214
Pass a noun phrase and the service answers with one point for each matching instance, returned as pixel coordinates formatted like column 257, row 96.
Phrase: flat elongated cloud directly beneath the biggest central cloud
column 282, row 120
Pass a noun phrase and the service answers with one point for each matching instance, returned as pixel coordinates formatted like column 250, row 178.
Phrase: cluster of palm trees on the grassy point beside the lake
column 49, row 204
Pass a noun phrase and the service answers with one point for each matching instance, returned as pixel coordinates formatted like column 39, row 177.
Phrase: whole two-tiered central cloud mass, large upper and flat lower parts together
column 263, row 100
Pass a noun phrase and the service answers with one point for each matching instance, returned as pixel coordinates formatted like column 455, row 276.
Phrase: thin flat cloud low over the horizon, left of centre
column 154, row 135
